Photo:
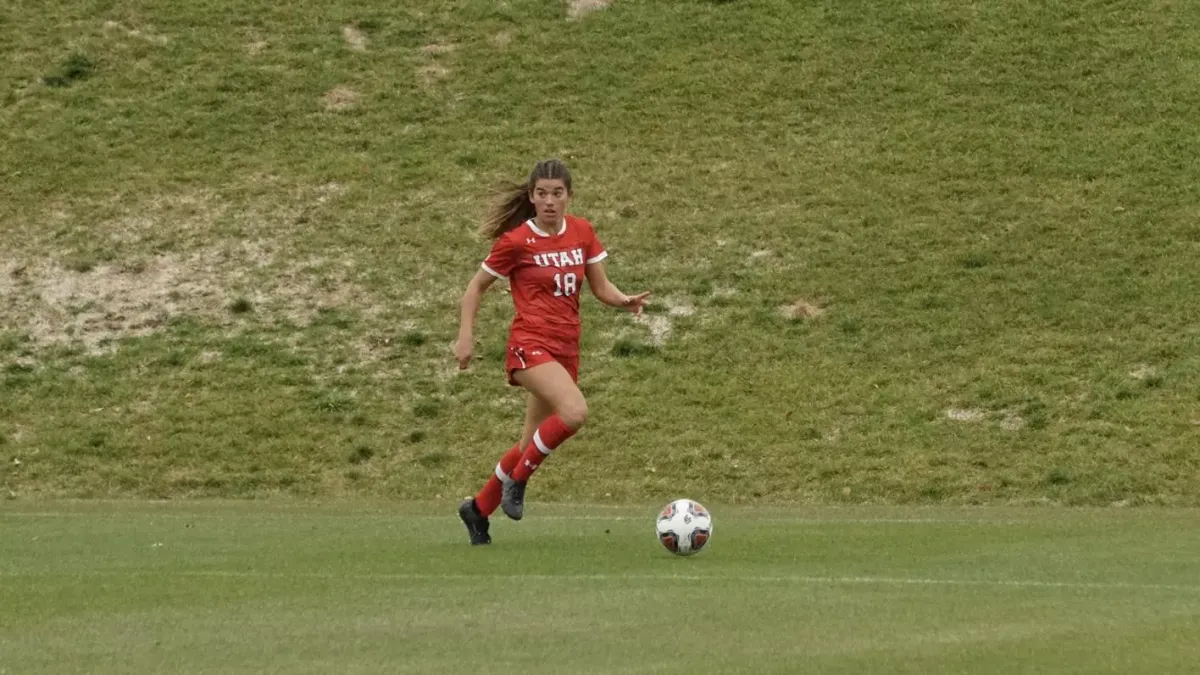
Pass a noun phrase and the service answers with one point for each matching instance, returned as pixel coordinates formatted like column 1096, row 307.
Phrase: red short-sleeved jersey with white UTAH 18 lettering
column 547, row 274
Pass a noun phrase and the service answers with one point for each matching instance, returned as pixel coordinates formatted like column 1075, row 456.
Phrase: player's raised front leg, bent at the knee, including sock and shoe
column 554, row 386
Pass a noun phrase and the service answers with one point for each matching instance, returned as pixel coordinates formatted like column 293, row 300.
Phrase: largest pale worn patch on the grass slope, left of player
column 56, row 300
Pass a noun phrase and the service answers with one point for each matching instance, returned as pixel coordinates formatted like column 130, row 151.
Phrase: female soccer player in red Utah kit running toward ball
column 544, row 254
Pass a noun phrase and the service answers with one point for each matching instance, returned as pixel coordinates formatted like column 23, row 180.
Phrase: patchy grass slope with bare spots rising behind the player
column 233, row 246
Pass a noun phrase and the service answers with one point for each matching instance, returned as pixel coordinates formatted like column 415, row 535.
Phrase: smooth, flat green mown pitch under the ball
column 370, row 588
